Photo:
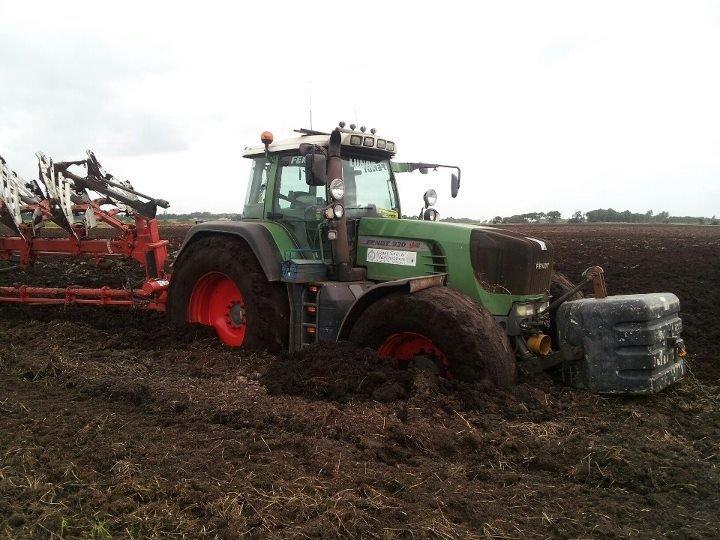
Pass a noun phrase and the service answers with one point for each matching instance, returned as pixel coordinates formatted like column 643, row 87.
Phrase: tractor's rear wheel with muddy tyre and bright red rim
column 217, row 281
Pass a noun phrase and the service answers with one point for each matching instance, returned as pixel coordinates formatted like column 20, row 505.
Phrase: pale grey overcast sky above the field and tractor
column 545, row 105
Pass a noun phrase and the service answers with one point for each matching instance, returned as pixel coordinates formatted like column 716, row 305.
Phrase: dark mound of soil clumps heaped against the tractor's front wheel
column 338, row 373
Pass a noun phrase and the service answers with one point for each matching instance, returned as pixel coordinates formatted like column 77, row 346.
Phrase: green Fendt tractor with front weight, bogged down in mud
column 321, row 254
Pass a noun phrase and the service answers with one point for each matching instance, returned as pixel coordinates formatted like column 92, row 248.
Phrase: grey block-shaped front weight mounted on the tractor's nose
column 631, row 343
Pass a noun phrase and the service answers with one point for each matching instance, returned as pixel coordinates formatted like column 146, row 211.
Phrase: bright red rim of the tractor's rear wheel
column 216, row 301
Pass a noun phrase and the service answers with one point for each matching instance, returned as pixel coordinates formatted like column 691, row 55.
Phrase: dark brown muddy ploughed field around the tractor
column 112, row 424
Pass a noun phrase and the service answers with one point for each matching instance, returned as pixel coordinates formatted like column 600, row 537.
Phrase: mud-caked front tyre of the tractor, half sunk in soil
column 461, row 336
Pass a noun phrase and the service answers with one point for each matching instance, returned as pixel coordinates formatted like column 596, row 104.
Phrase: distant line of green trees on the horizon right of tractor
column 594, row 216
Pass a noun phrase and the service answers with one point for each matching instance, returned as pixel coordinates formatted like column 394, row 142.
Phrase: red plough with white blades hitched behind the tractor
column 64, row 198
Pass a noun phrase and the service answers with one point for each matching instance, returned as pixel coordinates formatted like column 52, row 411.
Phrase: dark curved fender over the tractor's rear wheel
column 257, row 235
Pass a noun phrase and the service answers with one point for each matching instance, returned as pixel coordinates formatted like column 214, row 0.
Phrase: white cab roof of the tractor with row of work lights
column 365, row 142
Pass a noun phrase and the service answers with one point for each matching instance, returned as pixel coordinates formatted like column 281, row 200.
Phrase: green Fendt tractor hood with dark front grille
column 479, row 260
